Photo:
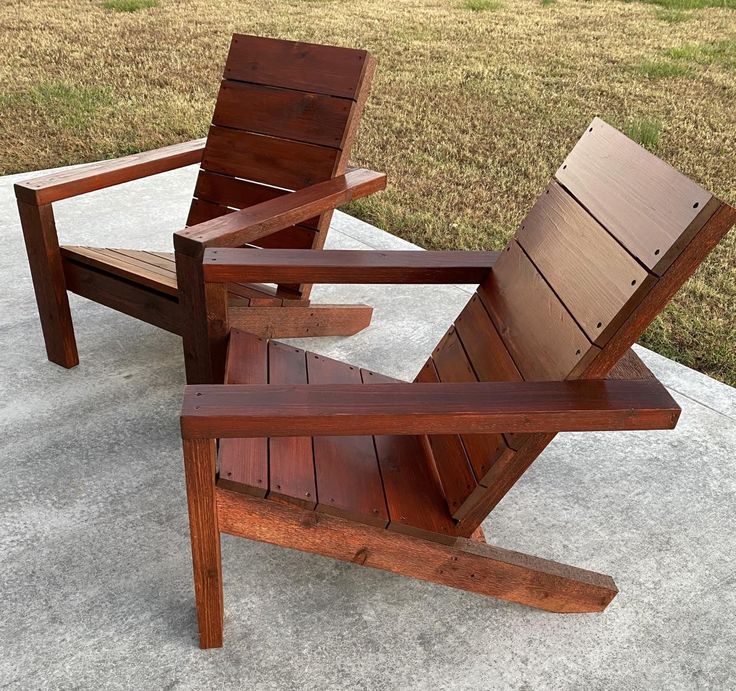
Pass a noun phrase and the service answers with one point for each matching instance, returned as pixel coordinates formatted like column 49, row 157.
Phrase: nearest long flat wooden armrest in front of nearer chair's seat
column 312, row 410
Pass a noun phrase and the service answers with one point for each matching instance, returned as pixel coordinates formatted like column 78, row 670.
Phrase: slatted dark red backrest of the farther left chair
column 285, row 118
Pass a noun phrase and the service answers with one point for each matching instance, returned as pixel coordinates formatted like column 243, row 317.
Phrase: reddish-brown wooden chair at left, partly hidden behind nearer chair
column 284, row 123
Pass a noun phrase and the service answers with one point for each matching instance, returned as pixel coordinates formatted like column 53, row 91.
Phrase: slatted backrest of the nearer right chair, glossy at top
column 607, row 244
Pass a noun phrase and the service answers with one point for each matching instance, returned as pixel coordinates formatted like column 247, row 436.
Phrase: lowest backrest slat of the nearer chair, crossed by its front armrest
column 459, row 484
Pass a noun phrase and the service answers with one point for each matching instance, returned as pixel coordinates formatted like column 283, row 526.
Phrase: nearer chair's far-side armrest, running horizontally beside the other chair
column 345, row 266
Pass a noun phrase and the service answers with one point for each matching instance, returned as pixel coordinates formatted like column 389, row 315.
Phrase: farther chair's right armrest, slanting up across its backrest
column 250, row 224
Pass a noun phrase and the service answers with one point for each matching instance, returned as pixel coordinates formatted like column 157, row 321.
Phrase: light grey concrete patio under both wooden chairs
column 95, row 572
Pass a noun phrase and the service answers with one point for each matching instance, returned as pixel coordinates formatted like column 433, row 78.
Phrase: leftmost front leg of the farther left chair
column 47, row 272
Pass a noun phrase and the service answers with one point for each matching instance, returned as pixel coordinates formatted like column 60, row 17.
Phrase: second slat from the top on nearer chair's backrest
column 595, row 278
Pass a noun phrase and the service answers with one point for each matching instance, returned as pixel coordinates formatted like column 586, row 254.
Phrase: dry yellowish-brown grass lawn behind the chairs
column 474, row 105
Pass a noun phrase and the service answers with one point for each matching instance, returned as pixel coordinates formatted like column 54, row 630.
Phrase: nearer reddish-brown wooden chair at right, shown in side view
column 326, row 457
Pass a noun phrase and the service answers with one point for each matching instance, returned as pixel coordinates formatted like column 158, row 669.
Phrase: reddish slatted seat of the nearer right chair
column 386, row 481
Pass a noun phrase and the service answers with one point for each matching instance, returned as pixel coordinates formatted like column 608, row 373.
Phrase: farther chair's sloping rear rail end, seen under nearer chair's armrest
column 301, row 321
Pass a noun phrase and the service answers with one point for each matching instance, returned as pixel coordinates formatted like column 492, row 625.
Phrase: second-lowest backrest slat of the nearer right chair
column 452, row 365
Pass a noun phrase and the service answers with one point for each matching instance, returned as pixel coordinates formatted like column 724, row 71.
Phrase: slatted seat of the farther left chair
column 157, row 271
